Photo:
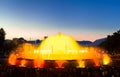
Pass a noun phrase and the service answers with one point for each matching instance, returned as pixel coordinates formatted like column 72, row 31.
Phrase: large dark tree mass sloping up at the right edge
column 112, row 43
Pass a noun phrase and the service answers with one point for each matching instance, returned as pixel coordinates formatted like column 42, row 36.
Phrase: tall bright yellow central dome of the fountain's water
column 54, row 47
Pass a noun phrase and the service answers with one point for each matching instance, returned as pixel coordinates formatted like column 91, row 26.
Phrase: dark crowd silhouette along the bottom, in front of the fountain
column 101, row 71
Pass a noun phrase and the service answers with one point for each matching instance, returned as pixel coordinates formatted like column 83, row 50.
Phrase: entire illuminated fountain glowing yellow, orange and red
column 56, row 51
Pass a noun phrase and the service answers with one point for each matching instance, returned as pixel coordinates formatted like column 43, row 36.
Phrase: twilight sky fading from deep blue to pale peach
column 82, row 19
